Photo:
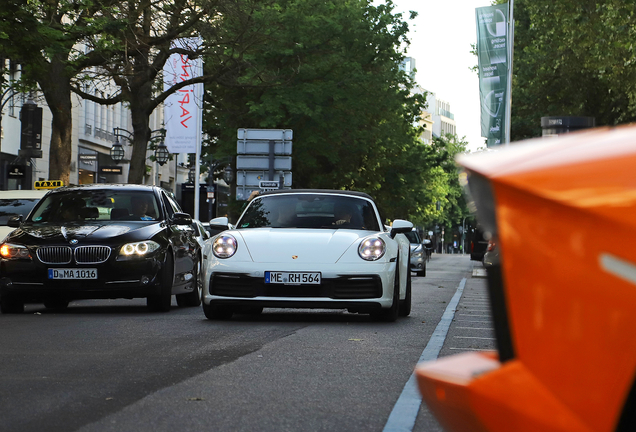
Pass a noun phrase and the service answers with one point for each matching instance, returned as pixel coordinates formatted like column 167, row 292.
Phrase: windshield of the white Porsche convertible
column 310, row 211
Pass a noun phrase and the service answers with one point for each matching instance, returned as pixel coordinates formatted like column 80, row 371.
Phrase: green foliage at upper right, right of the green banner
column 573, row 58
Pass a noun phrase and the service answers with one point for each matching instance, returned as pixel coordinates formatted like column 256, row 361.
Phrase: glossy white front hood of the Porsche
column 280, row 245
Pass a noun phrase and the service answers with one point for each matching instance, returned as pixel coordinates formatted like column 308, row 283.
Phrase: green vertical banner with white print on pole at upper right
column 492, row 52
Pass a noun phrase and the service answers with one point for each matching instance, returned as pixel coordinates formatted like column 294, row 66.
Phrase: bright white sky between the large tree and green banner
column 441, row 37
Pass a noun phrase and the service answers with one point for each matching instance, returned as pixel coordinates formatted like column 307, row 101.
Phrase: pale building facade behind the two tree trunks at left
column 96, row 127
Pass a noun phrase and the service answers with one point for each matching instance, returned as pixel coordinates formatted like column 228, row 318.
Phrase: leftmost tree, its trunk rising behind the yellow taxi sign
column 43, row 36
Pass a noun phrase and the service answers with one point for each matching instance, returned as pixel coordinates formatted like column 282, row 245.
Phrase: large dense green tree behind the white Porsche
column 341, row 90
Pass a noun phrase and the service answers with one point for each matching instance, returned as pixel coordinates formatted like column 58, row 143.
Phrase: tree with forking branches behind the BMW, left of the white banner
column 145, row 31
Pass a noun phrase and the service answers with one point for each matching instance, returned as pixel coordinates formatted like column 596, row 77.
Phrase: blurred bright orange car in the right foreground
column 563, row 297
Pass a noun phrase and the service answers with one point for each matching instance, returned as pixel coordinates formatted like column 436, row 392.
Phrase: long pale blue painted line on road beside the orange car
column 404, row 413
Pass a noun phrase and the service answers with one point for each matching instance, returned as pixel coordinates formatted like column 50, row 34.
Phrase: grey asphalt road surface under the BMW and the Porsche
column 113, row 366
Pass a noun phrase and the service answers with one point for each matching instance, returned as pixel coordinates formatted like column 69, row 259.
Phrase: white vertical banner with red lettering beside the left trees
column 183, row 108
